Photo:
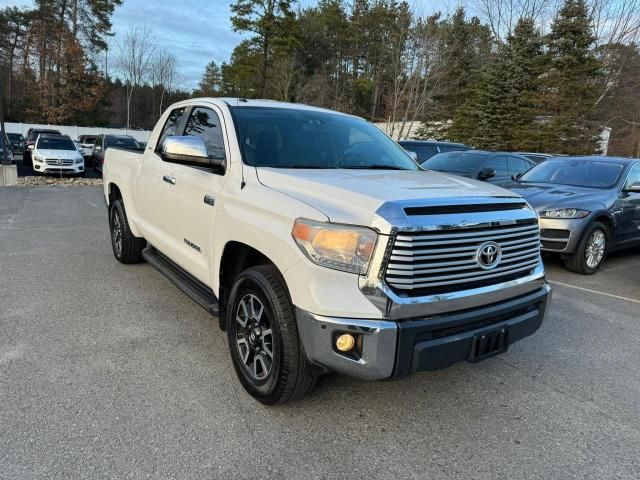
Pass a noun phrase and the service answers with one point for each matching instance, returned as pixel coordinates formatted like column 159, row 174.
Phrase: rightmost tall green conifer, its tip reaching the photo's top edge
column 571, row 82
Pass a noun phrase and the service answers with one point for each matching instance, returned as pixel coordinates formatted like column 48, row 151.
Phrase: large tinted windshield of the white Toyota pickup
column 297, row 138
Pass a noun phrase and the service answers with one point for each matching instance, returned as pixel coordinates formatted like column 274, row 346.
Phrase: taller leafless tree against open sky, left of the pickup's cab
column 135, row 54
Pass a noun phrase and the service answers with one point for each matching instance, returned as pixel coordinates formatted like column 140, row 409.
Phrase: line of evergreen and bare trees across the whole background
column 541, row 75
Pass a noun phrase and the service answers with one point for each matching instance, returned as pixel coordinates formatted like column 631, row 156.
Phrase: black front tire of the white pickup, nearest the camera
column 290, row 375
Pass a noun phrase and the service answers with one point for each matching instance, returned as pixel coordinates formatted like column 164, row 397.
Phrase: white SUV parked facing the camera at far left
column 57, row 154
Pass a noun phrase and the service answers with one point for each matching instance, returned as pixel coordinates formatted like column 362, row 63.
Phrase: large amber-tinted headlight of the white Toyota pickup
column 342, row 247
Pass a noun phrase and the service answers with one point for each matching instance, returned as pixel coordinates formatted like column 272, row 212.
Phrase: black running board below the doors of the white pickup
column 182, row 279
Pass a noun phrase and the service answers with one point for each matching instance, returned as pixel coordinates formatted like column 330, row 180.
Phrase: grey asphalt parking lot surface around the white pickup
column 109, row 371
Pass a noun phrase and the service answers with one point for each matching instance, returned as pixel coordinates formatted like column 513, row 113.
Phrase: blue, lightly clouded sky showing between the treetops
column 195, row 31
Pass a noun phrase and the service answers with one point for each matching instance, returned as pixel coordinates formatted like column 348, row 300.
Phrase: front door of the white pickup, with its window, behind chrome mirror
column 196, row 194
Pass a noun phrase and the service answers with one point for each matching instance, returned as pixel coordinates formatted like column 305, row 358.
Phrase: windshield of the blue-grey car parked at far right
column 577, row 173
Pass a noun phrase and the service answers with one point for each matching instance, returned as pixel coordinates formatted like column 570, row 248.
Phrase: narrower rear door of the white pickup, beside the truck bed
column 156, row 192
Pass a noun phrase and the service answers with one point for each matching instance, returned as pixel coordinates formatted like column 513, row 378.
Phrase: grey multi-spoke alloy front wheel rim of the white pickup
column 254, row 337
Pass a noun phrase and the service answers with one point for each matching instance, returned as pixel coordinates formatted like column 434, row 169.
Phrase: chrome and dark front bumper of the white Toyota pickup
column 395, row 349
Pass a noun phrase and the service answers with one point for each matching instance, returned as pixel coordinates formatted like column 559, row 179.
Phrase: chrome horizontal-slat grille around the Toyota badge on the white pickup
column 448, row 259
